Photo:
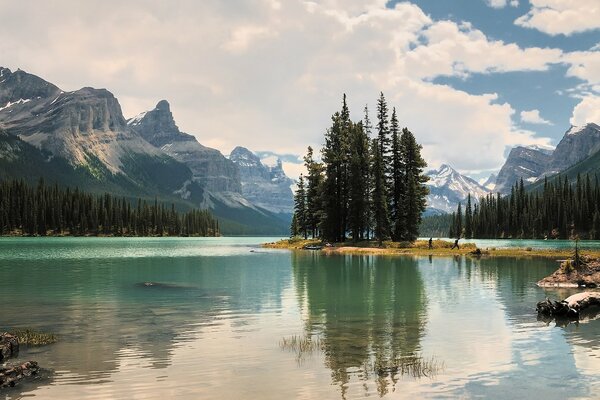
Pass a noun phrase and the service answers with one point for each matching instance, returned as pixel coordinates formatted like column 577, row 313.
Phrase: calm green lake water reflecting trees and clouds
column 212, row 328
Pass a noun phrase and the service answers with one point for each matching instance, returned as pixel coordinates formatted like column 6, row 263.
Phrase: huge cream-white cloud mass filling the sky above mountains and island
column 268, row 74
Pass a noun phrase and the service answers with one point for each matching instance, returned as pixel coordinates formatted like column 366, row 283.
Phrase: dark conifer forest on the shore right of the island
column 560, row 210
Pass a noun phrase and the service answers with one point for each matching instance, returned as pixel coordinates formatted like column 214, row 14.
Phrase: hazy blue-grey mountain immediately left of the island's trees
column 265, row 186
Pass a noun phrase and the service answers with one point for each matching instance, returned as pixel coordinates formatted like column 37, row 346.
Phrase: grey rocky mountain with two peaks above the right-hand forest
column 532, row 164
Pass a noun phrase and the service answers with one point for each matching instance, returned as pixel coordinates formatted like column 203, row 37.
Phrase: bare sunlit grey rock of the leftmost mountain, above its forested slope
column 79, row 126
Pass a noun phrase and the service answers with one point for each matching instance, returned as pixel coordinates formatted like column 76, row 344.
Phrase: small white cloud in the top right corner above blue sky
column 565, row 17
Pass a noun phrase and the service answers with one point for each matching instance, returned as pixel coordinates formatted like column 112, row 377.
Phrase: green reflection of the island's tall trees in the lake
column 368, row 311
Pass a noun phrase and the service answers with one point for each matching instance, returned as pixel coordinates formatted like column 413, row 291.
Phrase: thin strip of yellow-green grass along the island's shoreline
column 421, row 248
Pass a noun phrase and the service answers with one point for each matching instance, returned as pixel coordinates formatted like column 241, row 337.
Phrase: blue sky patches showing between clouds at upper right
column 546, row 91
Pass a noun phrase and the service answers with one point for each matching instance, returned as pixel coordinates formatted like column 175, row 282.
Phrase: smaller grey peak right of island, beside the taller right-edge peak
column 527, row 163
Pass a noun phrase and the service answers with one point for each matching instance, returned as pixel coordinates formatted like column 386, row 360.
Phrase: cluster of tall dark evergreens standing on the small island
column 363, row 187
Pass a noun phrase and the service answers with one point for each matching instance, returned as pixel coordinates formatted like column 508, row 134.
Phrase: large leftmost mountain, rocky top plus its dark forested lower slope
column 82, row 131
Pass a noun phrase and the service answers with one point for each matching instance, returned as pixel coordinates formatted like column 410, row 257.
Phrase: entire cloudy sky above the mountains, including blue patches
column 470, row 78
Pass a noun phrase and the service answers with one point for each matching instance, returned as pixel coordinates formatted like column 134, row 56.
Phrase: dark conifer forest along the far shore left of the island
column 52, row 210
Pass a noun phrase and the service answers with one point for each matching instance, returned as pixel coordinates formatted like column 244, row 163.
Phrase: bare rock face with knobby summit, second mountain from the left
column 210, row 168
